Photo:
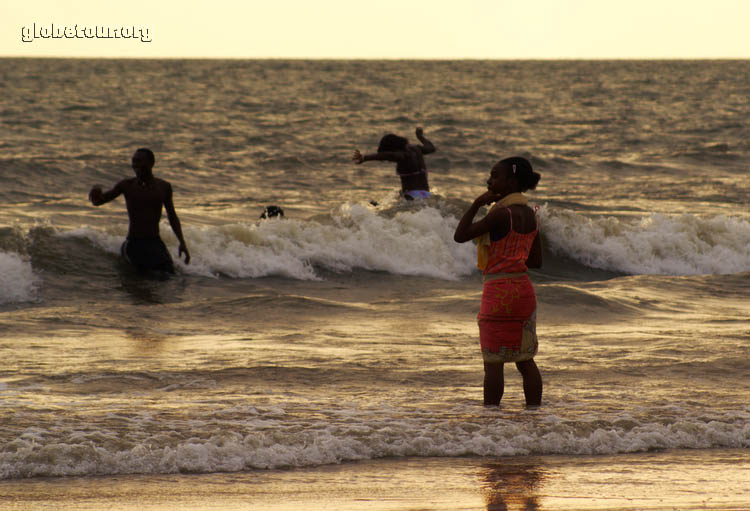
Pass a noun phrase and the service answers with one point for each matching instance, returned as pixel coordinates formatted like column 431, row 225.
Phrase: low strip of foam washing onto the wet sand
column 268, row 443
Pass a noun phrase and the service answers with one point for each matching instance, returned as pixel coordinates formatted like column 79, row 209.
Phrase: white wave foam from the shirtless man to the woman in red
column 411, row 243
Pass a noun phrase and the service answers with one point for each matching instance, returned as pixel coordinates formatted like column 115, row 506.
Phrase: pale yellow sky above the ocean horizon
column 474, row 29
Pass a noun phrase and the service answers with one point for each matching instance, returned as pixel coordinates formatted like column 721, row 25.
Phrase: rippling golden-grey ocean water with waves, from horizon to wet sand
column 347, row 330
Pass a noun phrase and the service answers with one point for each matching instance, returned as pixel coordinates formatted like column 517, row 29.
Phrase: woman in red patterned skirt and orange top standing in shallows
column 508, row 244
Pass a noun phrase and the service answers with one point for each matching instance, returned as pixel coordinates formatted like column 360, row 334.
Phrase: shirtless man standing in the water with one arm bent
column 144, row 197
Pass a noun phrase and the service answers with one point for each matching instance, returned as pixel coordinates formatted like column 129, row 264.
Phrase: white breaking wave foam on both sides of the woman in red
column 420, row 242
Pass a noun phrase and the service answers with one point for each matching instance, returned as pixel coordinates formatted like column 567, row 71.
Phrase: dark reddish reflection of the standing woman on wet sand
column 512, row 484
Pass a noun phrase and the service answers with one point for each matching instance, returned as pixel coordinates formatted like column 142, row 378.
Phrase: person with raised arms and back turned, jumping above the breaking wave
column 409, row 158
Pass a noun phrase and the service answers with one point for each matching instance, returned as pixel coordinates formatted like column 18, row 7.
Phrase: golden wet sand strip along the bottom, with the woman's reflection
column 683, row 479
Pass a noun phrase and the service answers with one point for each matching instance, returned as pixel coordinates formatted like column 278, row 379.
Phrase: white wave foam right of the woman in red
column 655, row 244
